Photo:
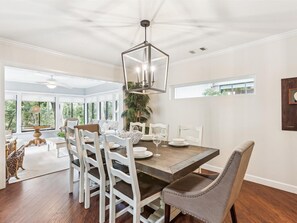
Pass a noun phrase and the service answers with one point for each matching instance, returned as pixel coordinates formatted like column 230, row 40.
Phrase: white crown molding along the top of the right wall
column 280, row 36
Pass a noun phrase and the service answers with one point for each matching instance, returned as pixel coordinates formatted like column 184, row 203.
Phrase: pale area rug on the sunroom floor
column 39, row 161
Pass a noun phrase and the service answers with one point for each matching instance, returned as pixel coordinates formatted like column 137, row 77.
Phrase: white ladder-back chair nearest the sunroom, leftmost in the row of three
column 75, row 161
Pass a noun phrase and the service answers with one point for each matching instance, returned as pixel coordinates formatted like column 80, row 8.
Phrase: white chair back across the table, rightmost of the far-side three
column 193, row 135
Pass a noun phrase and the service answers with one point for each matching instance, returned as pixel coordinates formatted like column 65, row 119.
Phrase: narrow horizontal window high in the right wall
column 215, row 88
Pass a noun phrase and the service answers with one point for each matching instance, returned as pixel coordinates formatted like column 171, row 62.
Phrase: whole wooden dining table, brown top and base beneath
column 173, row 163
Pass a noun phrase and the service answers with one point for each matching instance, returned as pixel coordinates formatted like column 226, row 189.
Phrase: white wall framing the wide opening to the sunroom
column 25, row 56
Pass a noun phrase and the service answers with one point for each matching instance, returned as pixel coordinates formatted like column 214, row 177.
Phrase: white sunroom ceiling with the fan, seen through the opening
column 34, row 77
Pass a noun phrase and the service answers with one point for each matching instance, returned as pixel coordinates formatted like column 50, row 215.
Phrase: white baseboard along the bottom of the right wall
column 259, row 180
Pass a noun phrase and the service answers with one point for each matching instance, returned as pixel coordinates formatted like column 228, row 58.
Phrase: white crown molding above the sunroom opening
column 53, row 52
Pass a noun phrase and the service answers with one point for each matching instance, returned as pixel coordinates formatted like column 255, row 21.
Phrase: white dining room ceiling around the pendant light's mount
column 101, row 30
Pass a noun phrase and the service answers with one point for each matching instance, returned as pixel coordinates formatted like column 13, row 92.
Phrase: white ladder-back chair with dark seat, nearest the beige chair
column 136, row 189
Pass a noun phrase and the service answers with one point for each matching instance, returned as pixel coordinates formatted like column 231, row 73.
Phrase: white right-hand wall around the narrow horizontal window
column 230, row 120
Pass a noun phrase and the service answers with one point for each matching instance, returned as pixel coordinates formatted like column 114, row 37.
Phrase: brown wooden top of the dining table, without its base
column 174, row 162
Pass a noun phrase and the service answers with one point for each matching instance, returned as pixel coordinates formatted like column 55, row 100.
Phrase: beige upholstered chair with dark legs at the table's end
column 206, row 199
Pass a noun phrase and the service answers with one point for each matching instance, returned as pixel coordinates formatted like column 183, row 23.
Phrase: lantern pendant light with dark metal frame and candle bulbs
column 145, row 67
